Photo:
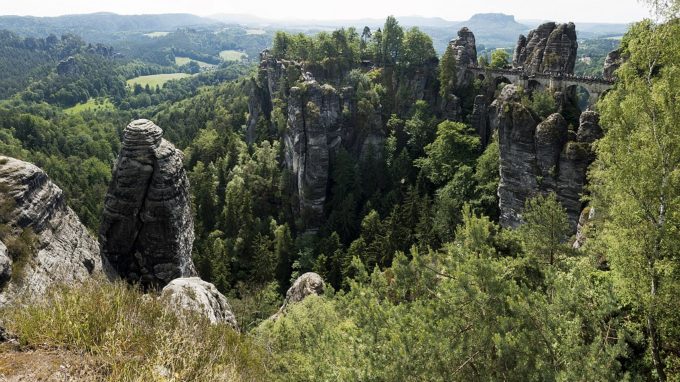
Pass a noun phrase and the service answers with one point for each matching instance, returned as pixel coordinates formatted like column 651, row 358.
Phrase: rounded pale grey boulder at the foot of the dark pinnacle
column 194, row 294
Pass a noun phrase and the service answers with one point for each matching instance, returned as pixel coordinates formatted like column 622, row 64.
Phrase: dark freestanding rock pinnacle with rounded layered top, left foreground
column 147, row 230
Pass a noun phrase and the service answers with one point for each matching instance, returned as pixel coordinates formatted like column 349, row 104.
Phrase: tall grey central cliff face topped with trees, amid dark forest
column 321, row 119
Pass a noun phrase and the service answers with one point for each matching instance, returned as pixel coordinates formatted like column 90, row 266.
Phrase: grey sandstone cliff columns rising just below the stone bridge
column 540, row 157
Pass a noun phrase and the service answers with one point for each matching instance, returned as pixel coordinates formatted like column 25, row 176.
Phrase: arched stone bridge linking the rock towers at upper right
column 596, row 87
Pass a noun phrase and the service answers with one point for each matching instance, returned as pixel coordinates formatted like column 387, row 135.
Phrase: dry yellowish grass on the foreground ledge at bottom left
column 135, row 337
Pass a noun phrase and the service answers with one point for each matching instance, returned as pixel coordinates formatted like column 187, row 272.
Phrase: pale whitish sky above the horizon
column 606, row 11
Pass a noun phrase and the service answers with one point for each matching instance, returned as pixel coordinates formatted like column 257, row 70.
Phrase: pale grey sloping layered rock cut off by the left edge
column 65, row 252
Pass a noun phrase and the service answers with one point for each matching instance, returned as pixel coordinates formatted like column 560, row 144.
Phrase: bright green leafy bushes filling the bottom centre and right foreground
column 391, row 323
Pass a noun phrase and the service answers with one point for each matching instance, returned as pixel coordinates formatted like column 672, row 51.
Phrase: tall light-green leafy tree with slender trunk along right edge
column 636, row 189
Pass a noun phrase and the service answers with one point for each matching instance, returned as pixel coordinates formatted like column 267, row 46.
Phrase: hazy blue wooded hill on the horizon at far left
column 100, row 26
